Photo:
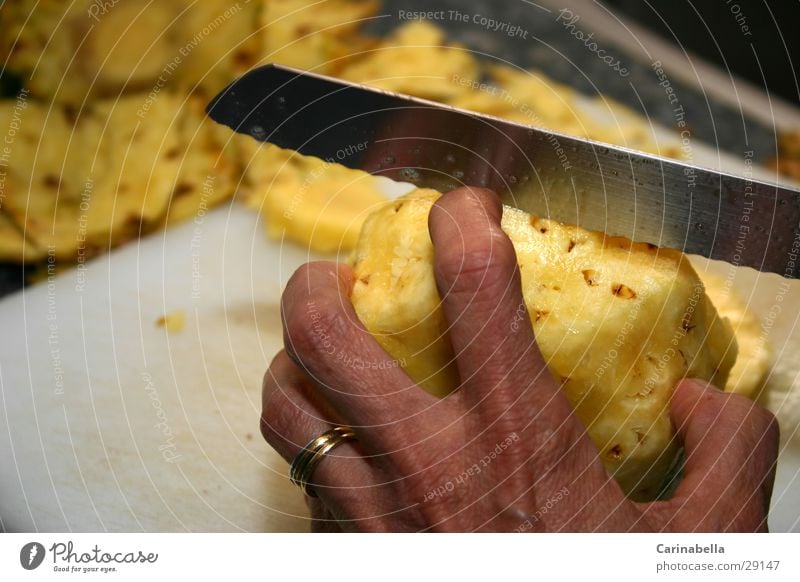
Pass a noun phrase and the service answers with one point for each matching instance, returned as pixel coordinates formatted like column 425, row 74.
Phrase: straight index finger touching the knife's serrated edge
column 477, row 275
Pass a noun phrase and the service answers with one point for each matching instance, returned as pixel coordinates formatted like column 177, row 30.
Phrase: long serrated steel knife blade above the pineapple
column 598, row 186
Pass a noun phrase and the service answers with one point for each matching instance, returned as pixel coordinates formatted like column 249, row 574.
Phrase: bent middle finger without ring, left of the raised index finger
column 364, row 385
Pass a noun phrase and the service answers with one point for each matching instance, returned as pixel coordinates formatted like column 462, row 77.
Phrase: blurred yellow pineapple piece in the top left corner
column 74, row 52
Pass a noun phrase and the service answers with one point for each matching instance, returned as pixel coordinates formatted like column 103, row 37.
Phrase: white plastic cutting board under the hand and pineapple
column 108, row 422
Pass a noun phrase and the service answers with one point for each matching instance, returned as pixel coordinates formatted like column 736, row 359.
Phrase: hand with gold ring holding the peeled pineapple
column 504, row 452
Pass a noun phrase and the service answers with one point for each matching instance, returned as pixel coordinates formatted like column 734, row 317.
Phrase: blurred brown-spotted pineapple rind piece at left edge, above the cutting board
column 79, row 185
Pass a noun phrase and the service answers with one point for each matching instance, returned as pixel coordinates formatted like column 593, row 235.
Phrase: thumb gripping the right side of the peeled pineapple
column 731, row 447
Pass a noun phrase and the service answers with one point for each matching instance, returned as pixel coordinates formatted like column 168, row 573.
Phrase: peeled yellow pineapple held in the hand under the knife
column 618, row 323
